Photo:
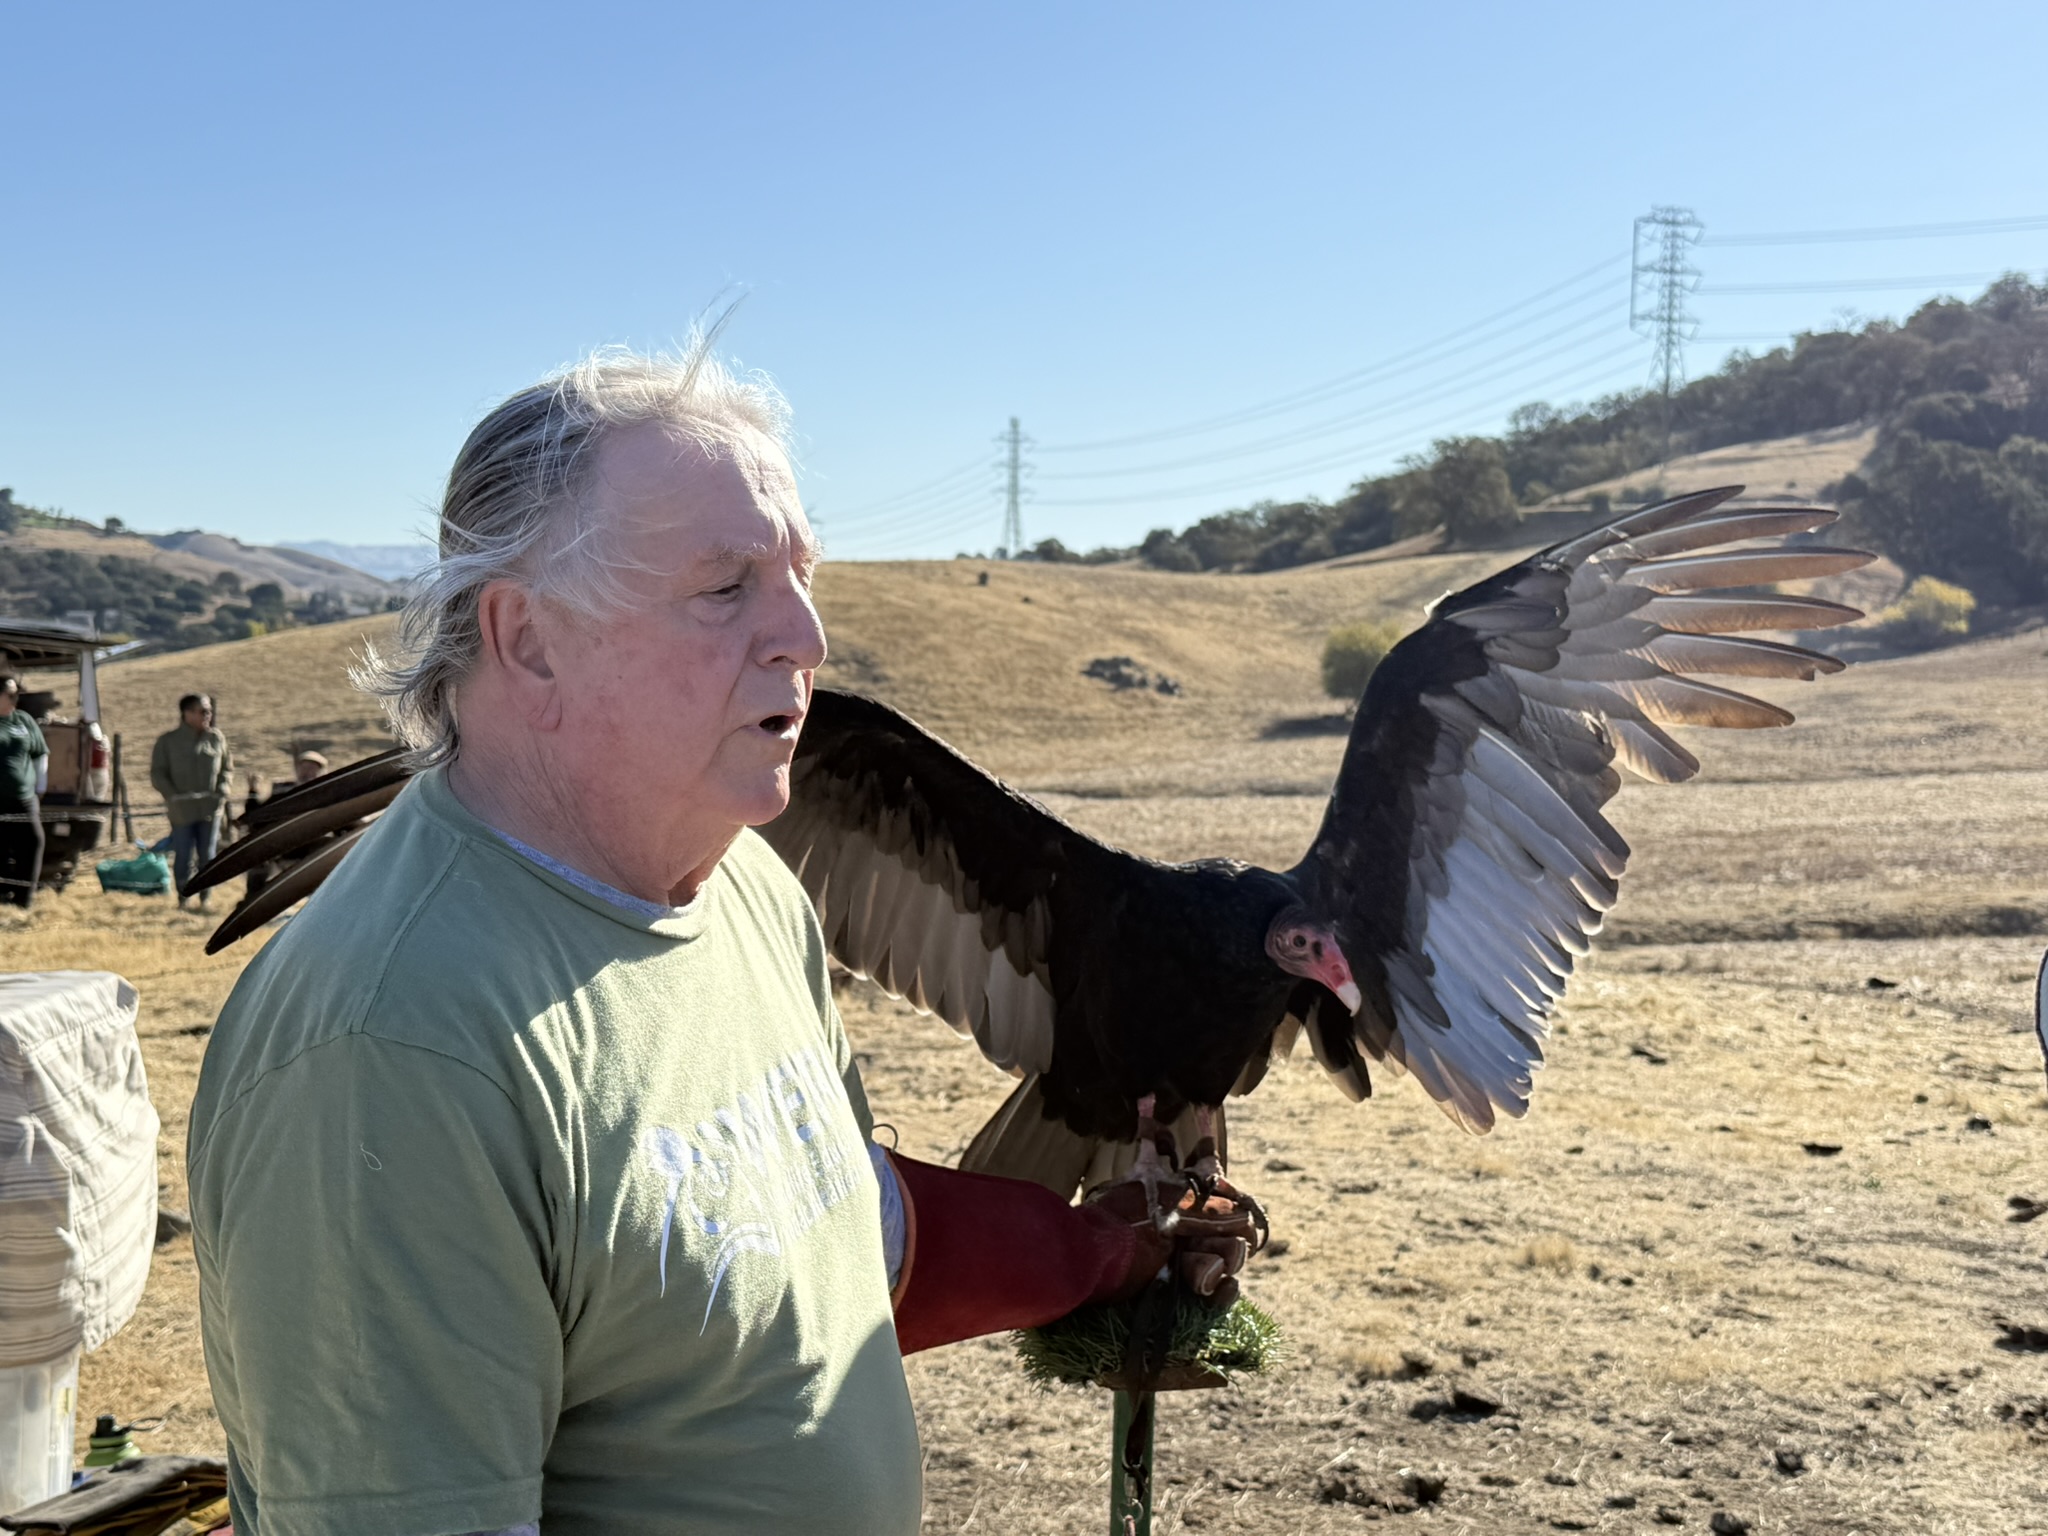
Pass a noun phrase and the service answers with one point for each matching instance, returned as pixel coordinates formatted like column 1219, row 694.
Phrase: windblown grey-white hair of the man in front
column 517, row 509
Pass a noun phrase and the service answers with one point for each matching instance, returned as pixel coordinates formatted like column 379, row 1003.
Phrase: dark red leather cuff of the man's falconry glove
column 986, row 1256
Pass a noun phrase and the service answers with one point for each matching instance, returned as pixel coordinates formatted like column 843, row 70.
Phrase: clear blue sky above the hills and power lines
column 265, row 265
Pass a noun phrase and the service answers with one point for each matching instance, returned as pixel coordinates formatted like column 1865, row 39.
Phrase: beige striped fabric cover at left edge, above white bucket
column 77, row 1162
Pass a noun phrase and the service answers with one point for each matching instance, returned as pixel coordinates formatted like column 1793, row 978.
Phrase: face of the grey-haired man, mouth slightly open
column 683, row 710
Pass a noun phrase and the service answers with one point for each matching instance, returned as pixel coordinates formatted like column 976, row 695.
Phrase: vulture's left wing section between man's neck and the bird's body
column 929, row 876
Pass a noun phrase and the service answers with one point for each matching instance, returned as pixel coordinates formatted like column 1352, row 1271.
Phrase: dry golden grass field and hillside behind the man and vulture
column 1748, row 1256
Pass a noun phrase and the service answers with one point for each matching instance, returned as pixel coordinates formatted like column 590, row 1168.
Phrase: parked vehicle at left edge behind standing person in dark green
column 79, row 806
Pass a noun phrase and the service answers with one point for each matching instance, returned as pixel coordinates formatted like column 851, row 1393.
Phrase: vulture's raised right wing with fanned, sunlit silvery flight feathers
column 1465, row 857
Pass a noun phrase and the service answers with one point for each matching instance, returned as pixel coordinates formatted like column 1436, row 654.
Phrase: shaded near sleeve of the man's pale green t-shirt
column 376, row 1293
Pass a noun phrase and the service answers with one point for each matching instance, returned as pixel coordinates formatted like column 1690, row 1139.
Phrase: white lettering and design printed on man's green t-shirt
column 763, row 1170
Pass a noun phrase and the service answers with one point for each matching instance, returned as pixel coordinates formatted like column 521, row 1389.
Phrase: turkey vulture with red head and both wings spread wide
column 1461, row 867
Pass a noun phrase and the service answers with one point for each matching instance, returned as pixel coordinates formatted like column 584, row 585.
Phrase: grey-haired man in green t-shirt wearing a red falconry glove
column 531, row 1172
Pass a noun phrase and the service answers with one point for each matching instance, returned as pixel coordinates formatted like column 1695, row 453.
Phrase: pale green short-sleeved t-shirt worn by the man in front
column 515, row 1205
